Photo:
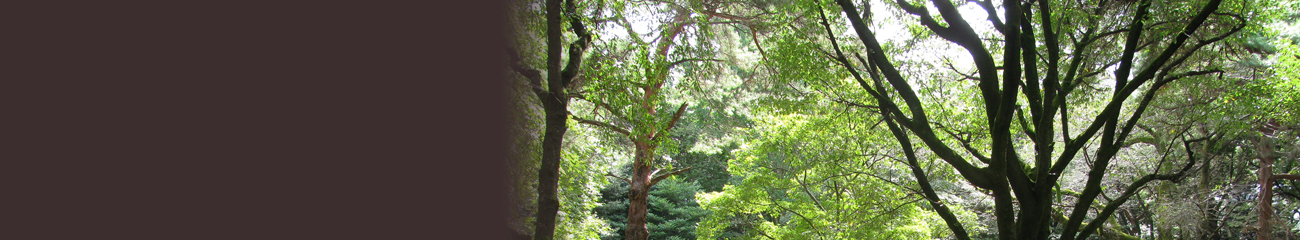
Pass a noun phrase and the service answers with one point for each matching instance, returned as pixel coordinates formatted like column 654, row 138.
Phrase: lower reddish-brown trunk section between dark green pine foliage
column 639, row 194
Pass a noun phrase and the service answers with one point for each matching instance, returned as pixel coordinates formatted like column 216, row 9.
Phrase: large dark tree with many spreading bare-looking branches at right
column 1154, row 53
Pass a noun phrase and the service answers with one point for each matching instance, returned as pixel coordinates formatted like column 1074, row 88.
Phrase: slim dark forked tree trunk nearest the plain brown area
column 556, row 103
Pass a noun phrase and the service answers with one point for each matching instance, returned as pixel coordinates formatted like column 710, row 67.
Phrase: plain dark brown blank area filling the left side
column 254, row 120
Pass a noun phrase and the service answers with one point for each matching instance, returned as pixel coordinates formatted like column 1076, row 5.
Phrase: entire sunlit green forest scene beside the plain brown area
column 905, row 120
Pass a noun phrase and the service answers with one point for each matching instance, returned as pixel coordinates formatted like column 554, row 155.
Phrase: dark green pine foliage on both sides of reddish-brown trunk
column 673, row 215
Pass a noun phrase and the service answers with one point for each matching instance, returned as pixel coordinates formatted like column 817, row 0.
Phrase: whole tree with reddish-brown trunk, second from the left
column 630, row 90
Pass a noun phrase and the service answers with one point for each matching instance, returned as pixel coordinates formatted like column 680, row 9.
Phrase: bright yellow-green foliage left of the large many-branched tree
column 817, row 177
